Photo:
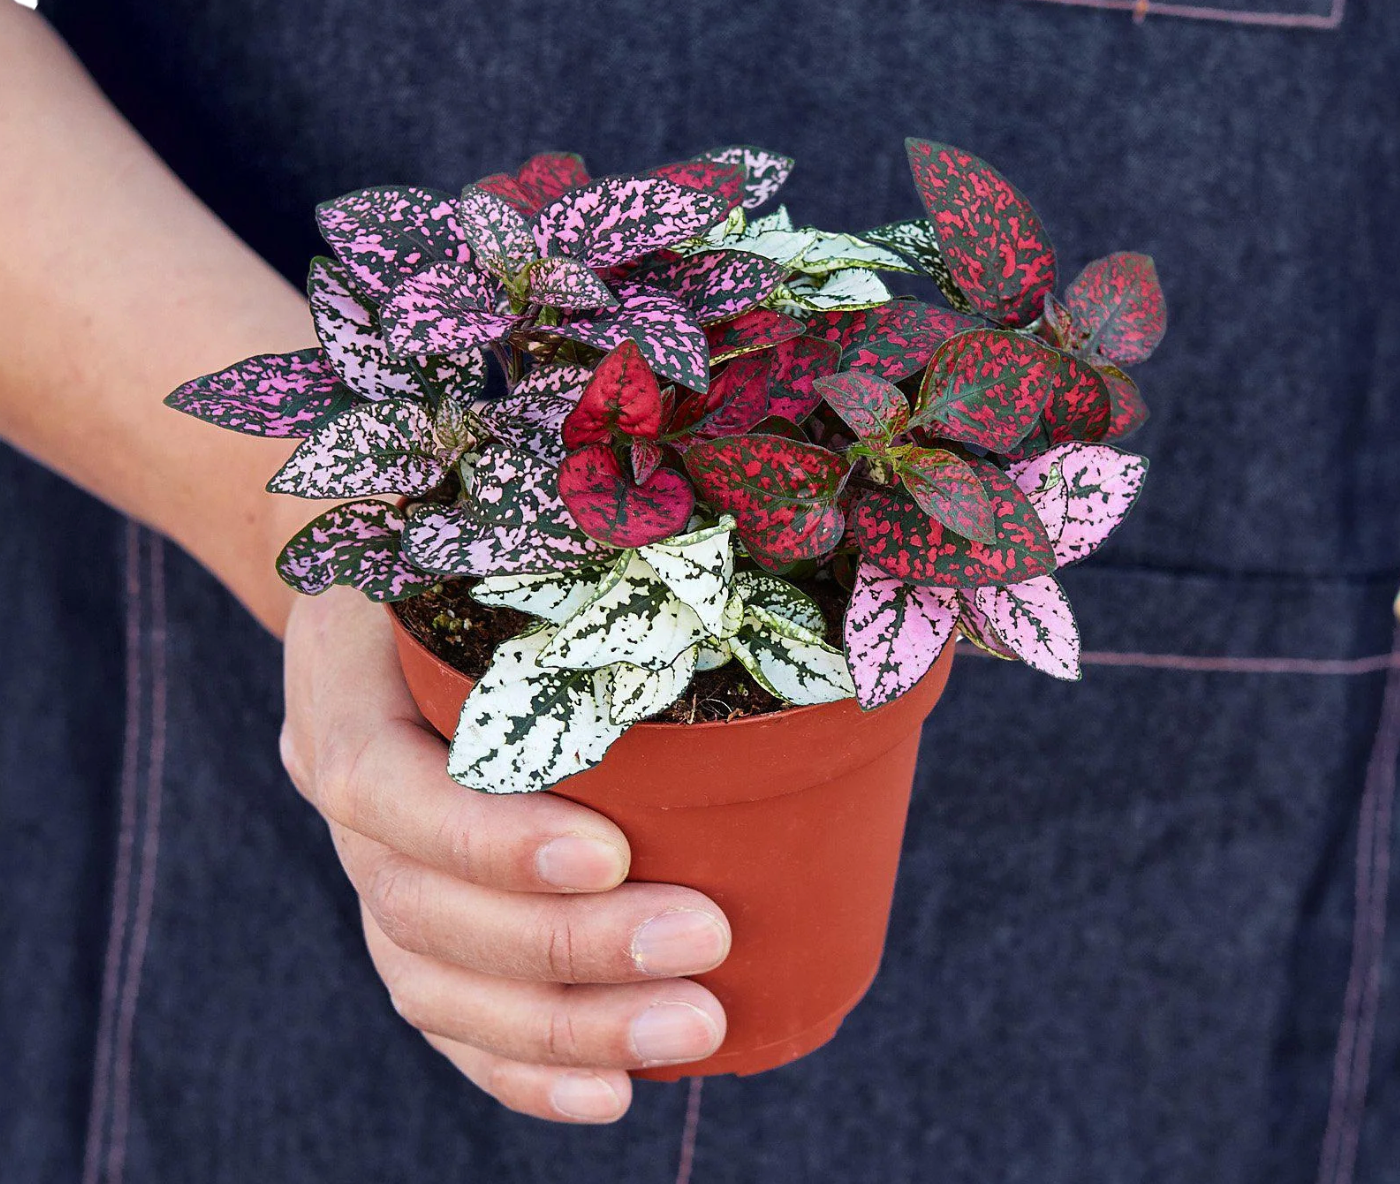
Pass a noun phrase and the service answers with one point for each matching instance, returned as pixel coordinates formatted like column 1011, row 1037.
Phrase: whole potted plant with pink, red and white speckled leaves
column 622, row 450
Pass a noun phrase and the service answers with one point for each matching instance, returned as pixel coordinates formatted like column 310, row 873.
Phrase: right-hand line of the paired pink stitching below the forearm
column 146, row 891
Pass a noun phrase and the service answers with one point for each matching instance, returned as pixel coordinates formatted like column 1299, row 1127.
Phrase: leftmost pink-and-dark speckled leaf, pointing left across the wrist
column 271, row 395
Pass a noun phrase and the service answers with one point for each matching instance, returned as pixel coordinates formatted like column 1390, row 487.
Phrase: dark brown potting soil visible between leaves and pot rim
column 465, row 633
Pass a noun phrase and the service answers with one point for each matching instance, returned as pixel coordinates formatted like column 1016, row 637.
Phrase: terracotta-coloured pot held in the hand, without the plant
column 790, row 822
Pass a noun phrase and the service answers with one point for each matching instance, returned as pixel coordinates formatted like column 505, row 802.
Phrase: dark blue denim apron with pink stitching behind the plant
column 1143, row 929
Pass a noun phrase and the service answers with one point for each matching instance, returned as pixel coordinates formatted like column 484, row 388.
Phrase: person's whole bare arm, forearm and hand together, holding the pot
column 502, row 927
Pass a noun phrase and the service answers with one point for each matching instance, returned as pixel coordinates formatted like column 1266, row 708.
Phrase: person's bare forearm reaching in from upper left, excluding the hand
column 115, row 286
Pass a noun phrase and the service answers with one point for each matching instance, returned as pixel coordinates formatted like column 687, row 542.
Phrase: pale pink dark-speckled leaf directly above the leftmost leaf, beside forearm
column 349, row 332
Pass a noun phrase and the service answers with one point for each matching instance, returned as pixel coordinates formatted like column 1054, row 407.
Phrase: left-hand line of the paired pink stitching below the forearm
column 125, row 856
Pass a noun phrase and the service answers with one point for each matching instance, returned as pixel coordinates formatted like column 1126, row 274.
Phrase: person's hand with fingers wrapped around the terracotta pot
column 500, row 926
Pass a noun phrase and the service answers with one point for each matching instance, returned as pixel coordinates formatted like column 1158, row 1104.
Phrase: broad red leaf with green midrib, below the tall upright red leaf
column 989, row 387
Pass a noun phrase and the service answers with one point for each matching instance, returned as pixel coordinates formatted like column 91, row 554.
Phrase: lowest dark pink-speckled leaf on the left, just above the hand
column 356, row 544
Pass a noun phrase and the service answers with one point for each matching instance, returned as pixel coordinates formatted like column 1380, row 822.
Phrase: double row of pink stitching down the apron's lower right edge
column 1352, row 1066
